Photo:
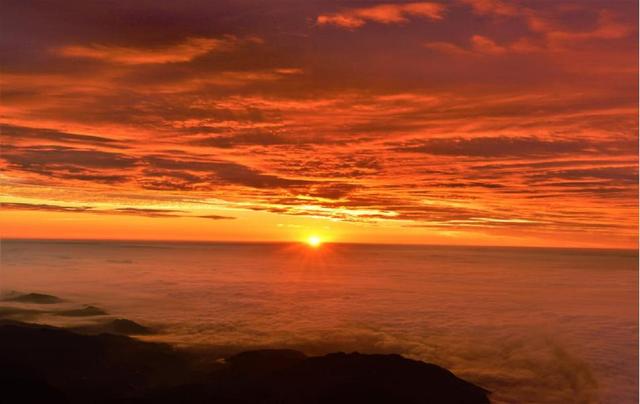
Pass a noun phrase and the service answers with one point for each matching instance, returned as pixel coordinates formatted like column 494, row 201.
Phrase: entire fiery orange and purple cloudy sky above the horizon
column 460, row 122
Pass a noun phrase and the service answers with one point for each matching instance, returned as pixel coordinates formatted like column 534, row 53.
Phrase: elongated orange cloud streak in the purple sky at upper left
column 184, row 51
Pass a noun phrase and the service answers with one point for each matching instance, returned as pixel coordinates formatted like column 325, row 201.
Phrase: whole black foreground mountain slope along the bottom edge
column 41, row 364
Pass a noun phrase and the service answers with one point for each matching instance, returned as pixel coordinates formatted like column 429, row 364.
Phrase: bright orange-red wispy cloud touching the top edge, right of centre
column 383, row 14
